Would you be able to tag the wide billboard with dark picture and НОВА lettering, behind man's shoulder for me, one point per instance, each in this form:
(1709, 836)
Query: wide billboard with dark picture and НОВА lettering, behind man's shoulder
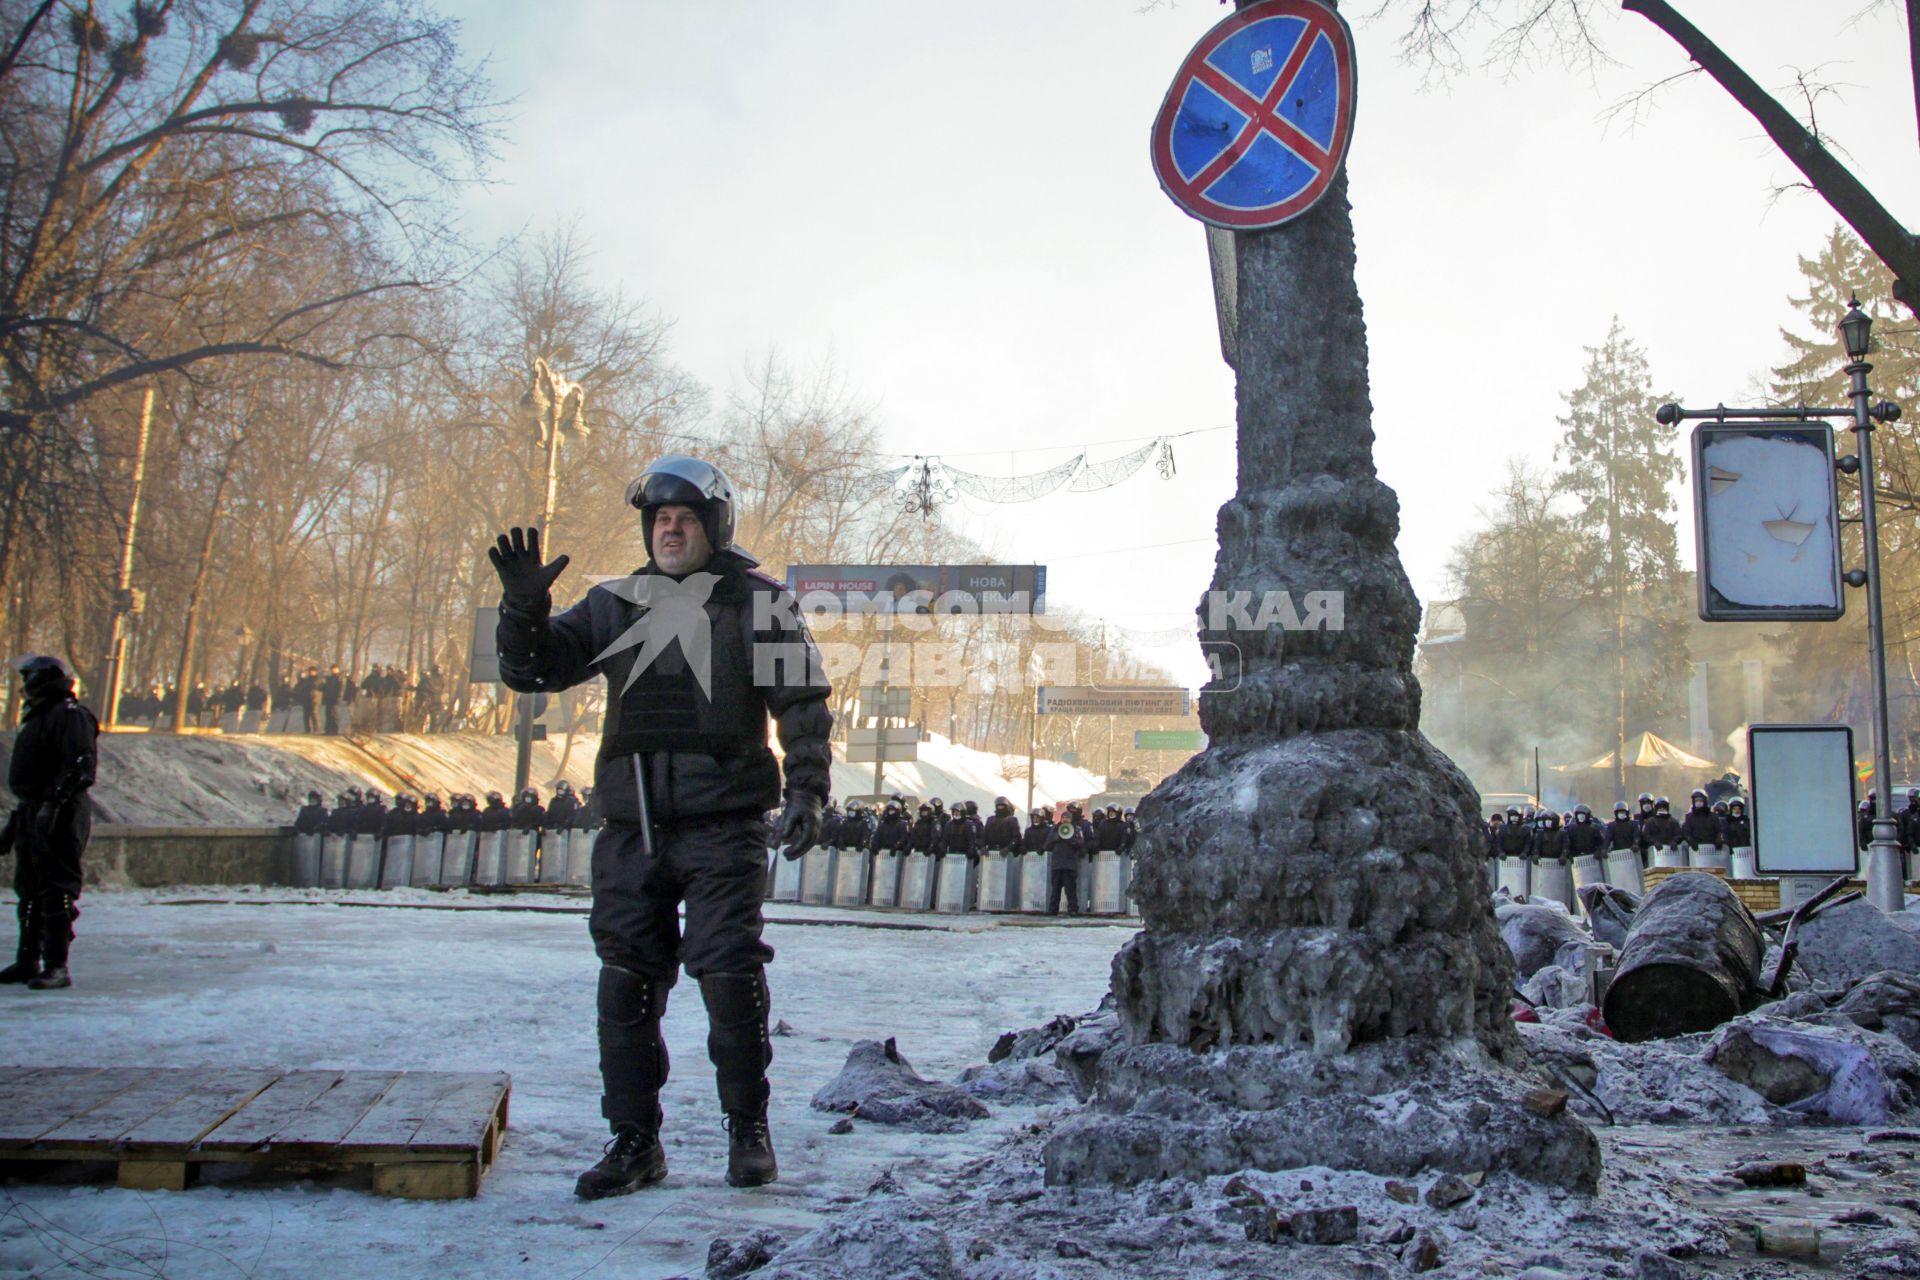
(921, 588)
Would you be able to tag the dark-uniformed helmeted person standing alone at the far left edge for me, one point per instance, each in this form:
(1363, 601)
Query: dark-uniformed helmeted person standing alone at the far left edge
(51, 770)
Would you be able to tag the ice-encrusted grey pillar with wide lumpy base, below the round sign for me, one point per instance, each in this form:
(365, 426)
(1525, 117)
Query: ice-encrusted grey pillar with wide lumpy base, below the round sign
(1320, 980)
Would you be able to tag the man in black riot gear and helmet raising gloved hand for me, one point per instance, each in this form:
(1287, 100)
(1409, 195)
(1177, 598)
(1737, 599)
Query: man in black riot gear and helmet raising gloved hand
(700, 650)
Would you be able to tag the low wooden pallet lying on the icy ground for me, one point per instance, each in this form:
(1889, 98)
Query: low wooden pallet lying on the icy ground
(425, 1135)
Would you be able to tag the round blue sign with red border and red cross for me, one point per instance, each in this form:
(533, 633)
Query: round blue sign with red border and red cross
(1257, 124)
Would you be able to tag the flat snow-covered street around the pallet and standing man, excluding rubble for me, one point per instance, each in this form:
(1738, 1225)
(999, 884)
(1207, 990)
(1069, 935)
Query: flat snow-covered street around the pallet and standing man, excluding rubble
(302, 980)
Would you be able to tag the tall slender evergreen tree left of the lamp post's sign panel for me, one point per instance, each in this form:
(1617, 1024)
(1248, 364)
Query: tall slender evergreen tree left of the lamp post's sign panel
(1621, 467)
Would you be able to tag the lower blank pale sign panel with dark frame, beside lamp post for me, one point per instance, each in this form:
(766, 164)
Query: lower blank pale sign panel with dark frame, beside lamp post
(1802, 780)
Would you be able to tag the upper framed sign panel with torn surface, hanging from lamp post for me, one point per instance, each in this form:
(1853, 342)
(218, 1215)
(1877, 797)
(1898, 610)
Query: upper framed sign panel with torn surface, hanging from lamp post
(1767, 523)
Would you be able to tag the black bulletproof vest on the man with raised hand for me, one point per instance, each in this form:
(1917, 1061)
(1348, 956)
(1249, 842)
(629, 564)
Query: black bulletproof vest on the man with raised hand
(665, 707)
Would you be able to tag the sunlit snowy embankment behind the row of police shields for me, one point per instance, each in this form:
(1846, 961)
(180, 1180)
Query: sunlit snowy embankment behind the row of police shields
(260, 780)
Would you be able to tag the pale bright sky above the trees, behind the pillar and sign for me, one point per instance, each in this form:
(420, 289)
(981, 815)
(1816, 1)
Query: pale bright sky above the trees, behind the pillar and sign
(953, 202)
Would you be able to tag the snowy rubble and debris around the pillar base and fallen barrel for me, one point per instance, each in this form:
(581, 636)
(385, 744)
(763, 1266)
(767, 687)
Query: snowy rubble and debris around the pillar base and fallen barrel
(1823, 1033)
